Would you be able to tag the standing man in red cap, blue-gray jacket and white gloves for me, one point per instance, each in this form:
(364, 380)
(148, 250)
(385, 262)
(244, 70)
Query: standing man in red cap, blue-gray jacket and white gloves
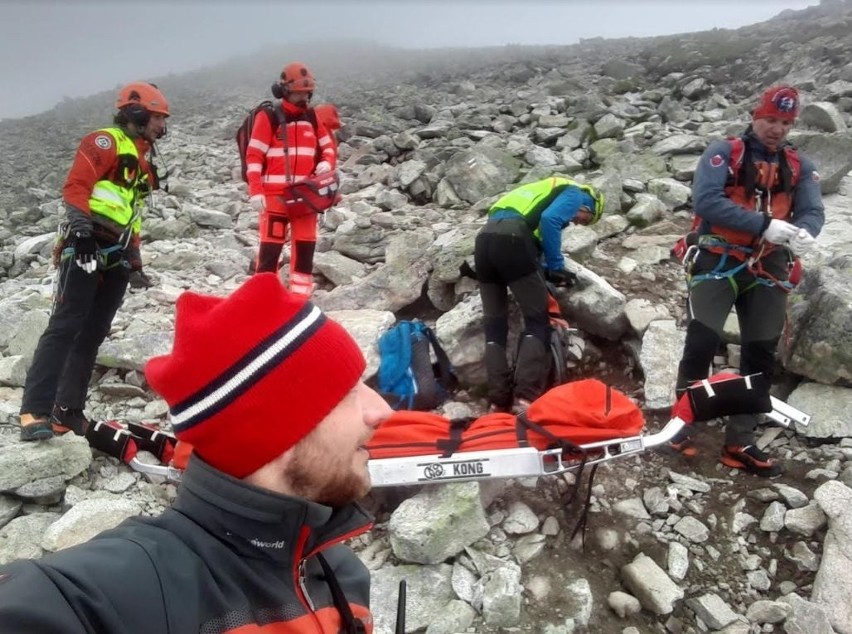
(760, 207)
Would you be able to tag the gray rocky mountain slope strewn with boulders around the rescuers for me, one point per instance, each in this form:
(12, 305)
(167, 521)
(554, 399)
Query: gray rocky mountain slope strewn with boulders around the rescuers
(429, 141)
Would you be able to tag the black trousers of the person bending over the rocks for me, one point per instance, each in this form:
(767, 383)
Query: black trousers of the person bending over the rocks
(506, 258)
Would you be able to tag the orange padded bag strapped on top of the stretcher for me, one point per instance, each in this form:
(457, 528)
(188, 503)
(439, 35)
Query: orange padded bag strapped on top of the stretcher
(579, 412)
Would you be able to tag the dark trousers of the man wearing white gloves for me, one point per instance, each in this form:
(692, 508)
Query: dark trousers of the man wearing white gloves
(761, 312)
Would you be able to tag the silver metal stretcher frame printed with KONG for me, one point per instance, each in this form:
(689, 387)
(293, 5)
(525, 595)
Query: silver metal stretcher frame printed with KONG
(520, 462)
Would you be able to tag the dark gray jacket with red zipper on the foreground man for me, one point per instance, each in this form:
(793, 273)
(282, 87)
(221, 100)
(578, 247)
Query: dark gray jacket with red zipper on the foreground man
(228, 557)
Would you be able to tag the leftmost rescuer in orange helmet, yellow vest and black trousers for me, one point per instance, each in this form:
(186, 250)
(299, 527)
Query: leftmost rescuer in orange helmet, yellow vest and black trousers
(96, 254)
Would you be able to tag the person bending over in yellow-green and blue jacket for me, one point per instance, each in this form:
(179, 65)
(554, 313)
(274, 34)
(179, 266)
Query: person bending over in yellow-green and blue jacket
(524, 227)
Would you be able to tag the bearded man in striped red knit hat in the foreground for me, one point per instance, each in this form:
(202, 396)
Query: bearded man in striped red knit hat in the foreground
(268, 390)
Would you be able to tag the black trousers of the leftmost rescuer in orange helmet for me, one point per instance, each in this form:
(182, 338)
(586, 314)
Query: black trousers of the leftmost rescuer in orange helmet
(84, 307)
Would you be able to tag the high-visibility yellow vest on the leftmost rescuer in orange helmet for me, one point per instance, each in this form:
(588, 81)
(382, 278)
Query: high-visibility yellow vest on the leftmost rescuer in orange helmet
(118, 198)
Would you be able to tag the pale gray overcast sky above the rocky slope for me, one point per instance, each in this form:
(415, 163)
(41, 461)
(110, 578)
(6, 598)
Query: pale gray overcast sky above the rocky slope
(55, 48)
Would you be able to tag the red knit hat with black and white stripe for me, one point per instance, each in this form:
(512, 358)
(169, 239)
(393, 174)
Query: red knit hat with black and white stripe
(253, 373)
